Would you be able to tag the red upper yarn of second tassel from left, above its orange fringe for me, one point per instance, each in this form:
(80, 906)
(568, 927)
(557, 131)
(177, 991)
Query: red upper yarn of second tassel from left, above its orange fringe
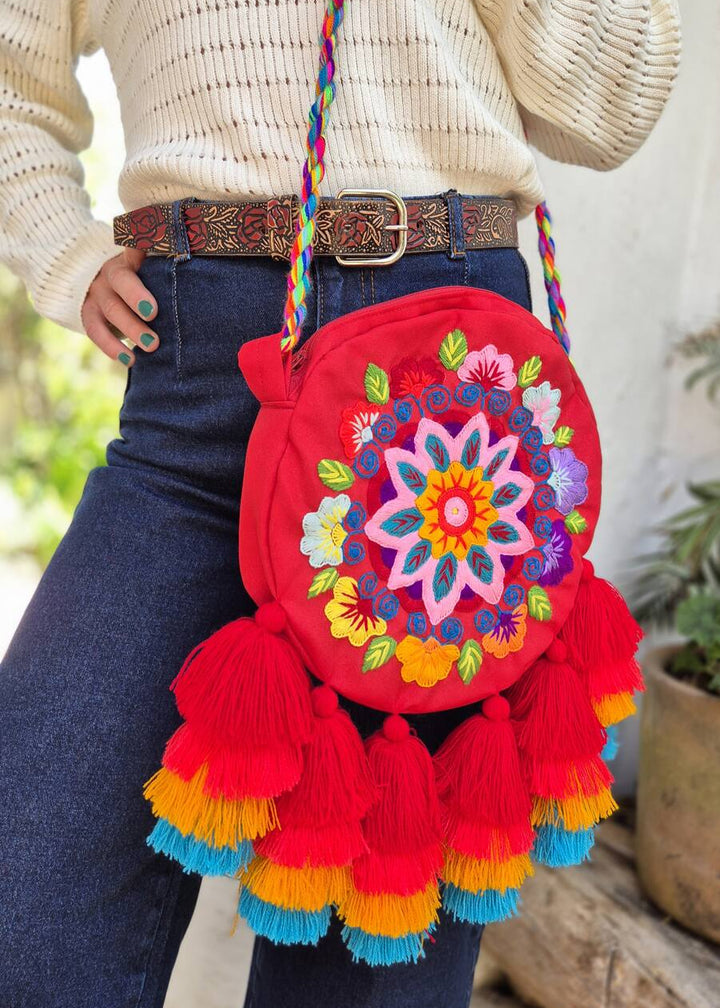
(320, 819)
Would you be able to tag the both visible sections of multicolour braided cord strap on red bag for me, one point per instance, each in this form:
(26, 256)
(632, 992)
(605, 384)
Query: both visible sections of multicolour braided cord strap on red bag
(299, 279)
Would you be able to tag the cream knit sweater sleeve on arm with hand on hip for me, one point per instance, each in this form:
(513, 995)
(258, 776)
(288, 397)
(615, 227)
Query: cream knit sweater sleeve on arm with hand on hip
(48, 234)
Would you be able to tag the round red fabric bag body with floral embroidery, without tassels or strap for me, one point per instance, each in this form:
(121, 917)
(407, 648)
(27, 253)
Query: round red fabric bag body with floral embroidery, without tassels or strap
(428, 498)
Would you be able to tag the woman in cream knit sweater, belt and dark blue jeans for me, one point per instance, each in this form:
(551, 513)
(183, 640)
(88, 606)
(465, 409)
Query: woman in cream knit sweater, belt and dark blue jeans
(435, 98)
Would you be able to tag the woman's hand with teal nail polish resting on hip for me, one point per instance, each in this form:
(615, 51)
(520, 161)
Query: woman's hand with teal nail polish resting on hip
(116, 303)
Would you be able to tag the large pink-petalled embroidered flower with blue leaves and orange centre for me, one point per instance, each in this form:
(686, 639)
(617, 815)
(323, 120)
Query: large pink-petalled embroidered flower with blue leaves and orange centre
(455, 516)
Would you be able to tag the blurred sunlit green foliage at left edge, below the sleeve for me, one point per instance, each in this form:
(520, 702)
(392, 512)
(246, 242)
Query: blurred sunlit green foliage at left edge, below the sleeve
(59, 403)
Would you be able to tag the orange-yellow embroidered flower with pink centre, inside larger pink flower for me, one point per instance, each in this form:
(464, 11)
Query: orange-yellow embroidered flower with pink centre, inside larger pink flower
(457, 511)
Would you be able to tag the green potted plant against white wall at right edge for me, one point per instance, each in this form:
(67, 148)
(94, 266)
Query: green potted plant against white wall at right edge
(679, 583)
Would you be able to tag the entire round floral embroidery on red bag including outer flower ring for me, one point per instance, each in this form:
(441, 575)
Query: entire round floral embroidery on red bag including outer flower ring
(451, 526)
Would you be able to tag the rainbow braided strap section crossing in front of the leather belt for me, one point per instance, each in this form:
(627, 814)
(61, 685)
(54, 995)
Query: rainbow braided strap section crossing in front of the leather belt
(313, 173)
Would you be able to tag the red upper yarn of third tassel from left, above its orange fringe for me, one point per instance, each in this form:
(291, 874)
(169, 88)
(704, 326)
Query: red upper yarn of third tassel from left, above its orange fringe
(403, 829)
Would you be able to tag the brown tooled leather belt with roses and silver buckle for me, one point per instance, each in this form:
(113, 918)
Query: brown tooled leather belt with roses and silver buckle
(375, 225)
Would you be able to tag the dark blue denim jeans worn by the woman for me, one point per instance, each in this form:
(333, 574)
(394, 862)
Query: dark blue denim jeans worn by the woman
(90, 918)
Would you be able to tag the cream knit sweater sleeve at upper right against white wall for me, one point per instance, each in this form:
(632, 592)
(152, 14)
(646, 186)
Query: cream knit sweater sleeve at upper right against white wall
(590, 77)
